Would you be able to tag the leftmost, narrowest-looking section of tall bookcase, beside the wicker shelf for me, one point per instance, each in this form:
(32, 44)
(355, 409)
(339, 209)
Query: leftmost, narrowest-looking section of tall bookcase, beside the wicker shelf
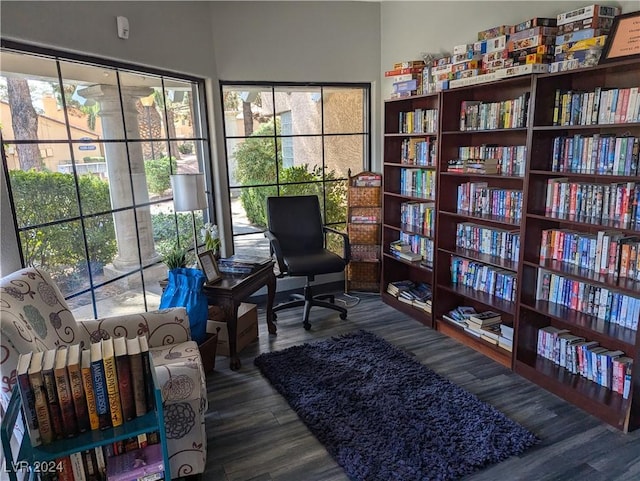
(409, 195)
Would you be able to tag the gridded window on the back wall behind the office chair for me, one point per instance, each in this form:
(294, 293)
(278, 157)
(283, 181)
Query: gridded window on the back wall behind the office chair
(287, 139)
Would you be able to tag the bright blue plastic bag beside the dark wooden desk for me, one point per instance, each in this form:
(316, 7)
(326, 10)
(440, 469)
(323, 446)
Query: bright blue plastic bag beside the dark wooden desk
(185, 290)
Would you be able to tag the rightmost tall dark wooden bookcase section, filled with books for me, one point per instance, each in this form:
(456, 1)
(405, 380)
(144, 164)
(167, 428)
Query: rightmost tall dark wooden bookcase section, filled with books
(580, 296)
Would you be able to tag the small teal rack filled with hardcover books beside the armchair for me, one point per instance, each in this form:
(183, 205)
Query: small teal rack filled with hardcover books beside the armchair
(88, 413)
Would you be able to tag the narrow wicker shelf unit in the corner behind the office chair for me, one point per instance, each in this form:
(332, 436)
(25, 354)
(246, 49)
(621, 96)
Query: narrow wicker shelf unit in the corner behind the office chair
(364, 214)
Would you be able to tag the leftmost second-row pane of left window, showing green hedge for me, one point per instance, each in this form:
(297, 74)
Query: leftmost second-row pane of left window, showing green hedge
(56, 197)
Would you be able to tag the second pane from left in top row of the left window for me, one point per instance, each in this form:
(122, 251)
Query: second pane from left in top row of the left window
(92, 101)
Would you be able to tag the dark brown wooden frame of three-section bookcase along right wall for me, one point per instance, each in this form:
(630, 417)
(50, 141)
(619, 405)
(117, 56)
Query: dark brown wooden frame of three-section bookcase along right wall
(526, 312)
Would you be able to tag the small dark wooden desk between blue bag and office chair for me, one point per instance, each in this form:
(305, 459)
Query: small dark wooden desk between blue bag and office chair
(231, 291)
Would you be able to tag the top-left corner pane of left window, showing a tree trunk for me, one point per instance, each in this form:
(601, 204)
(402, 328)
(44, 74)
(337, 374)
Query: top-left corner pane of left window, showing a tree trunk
(29, 85)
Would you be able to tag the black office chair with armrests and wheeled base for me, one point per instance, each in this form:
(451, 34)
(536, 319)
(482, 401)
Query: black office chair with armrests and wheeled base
(298, 239)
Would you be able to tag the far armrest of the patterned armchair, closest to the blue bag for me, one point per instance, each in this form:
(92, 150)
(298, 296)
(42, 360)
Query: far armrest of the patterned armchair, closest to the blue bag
(166, 326)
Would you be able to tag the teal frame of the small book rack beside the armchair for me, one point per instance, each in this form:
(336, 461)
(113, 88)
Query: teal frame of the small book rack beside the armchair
(43, 454)
